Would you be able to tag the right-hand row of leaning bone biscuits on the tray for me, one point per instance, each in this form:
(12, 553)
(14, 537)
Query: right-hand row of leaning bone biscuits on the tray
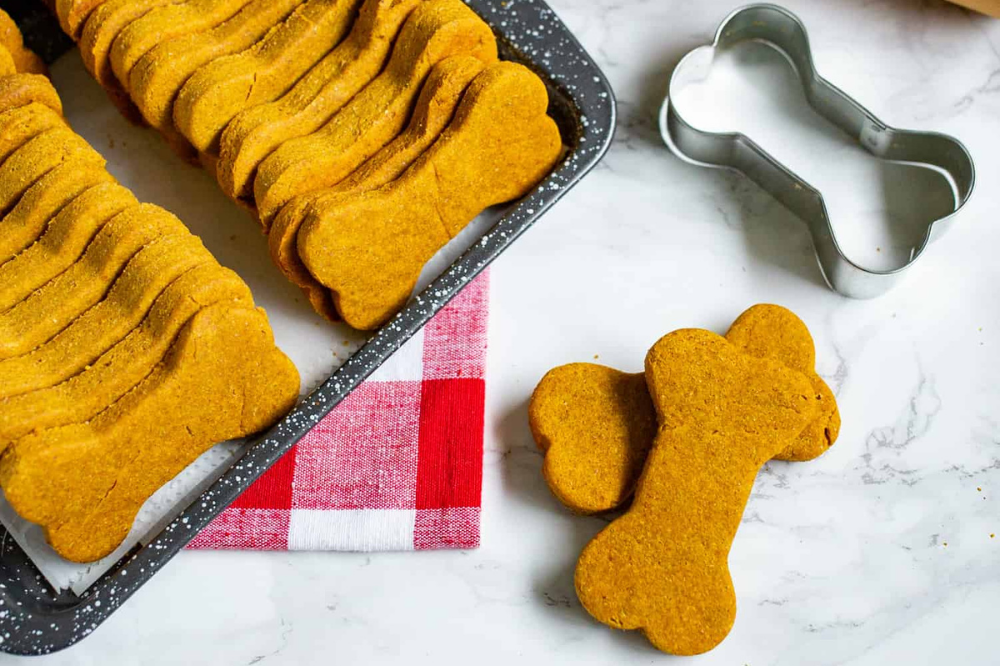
(364, 135)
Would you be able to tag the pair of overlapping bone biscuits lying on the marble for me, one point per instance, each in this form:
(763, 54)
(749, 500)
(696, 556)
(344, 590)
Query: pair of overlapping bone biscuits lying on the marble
(683, 441)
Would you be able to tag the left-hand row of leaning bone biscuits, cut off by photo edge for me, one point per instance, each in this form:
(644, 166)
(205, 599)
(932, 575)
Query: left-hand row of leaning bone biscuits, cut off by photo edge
(126, 350)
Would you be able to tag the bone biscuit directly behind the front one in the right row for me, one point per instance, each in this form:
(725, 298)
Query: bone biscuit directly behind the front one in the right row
(435, 108)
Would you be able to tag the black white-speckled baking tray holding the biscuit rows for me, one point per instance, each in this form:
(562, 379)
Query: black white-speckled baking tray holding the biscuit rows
(35, 619)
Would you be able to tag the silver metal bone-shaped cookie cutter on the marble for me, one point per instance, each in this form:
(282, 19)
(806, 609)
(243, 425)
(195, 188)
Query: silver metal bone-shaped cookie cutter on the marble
(783, 31)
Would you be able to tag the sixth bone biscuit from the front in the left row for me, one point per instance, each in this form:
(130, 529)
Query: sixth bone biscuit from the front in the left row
(43, 200)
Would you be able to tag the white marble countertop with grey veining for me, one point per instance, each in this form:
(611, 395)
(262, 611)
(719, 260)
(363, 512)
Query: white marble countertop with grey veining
(882, 551)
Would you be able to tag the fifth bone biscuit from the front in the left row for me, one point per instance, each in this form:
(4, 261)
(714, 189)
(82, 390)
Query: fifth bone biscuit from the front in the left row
(63, 241)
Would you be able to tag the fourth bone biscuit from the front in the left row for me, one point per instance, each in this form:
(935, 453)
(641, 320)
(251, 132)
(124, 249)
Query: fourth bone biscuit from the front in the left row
(52, 308)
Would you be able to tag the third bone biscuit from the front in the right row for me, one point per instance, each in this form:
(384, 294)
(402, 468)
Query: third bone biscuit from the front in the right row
(434, 31)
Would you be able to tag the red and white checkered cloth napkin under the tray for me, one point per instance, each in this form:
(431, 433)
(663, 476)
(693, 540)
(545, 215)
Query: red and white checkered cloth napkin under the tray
(396, 466)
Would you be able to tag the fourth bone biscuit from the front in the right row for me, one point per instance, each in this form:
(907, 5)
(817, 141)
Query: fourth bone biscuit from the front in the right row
(254, 133)
